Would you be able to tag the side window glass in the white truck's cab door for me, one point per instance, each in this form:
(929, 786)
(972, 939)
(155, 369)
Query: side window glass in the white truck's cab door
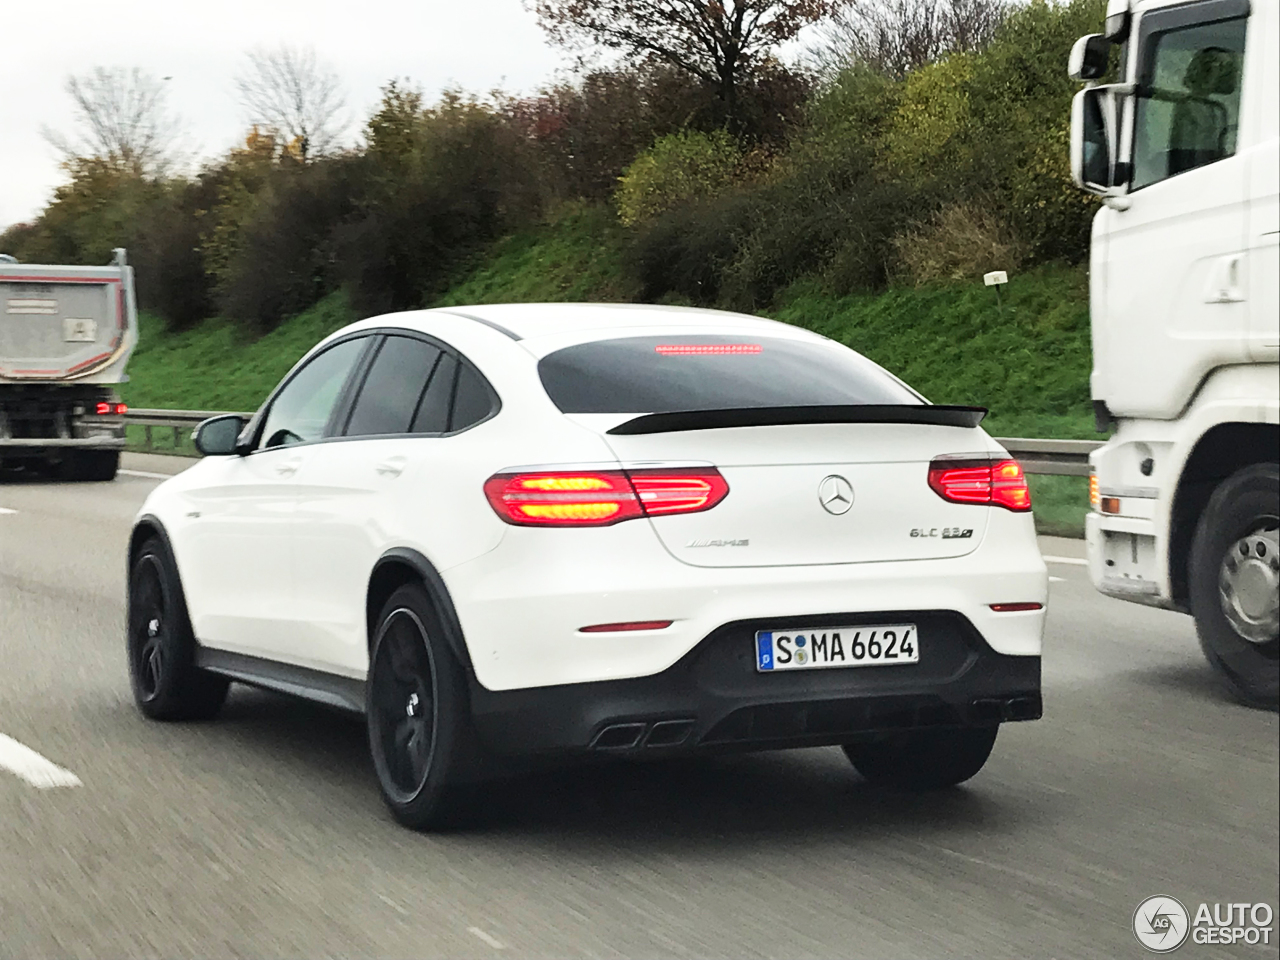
(1188, 108)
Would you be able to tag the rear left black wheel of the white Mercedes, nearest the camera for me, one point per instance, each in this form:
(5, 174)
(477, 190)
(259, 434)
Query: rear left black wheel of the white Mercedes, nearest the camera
(418, 716)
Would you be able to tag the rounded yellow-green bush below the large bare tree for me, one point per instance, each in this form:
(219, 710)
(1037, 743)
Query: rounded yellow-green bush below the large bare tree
(676, 170)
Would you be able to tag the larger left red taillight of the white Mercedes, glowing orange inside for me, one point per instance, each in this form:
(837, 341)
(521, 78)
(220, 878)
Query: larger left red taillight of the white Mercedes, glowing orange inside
(600, 499)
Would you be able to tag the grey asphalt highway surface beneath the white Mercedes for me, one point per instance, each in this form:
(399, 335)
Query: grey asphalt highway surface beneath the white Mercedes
(263, 834)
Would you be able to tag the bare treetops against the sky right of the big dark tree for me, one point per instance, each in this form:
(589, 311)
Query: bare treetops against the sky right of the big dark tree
(899, 36)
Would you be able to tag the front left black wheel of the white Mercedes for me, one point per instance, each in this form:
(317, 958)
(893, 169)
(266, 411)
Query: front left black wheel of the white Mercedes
(162, 648)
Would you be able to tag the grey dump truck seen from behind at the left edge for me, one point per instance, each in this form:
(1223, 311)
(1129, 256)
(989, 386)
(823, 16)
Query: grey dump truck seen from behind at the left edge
(66, 336)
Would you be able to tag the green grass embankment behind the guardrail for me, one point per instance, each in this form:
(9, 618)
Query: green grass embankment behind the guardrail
(1027, 360)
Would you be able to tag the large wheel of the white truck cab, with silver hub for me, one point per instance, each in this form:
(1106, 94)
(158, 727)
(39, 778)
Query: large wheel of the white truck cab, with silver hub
(1236, 584)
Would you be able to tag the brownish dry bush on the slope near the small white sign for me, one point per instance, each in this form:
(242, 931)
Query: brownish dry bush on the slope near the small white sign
(962, 243)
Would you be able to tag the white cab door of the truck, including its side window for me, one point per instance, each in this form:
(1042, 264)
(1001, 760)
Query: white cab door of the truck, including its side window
(1176, 291)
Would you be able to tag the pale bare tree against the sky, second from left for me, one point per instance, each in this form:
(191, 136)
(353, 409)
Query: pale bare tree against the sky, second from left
(291, 93)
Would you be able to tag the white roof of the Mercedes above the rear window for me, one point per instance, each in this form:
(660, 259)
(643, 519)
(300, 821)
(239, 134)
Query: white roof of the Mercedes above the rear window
(532, 322)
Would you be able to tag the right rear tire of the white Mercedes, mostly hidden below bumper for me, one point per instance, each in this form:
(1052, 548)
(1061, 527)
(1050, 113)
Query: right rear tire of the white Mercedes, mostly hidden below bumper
(925, 760)
